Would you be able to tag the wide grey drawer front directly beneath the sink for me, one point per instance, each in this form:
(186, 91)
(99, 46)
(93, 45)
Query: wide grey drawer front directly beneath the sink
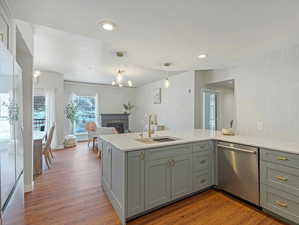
(167, 152)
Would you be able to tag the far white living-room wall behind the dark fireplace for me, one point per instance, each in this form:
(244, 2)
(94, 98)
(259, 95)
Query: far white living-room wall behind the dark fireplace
(110, 99)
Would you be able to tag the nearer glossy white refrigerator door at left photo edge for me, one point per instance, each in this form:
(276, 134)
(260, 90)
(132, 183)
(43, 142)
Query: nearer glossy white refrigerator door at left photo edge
(7, 145)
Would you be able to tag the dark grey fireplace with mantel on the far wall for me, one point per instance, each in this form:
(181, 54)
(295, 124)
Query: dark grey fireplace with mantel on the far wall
(119, 121)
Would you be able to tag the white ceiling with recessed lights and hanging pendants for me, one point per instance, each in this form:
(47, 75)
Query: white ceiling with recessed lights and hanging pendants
(154, 32)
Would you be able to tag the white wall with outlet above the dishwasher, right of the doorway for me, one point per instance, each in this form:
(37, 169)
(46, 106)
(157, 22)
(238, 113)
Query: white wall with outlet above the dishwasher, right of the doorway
(266, 91)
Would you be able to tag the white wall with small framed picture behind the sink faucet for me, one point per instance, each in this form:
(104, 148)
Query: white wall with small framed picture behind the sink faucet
(176, 110)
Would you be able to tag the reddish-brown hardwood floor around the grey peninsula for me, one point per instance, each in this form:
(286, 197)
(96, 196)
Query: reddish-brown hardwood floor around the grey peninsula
(71, 194)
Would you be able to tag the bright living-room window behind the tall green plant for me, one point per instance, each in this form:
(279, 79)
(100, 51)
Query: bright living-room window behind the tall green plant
(86, 112)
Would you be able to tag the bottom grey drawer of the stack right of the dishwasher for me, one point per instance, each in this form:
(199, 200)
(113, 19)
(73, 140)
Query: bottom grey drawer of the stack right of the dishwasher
(281, 203)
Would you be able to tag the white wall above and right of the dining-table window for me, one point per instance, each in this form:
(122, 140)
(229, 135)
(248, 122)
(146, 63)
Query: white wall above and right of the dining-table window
(53, 80)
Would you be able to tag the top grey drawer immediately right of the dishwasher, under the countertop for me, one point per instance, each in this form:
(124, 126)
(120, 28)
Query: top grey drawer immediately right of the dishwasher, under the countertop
(286, 159)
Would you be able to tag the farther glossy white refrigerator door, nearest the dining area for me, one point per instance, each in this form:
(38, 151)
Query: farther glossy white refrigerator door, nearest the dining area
(18, 97)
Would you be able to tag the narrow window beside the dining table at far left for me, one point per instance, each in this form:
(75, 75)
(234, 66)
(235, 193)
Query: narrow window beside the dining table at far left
(39, 113)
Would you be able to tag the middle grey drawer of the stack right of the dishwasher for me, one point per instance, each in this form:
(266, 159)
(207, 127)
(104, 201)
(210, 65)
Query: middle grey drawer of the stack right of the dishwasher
(281, 177)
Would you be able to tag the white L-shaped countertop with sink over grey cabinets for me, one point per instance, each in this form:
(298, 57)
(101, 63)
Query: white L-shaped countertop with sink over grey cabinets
(128, 142)
